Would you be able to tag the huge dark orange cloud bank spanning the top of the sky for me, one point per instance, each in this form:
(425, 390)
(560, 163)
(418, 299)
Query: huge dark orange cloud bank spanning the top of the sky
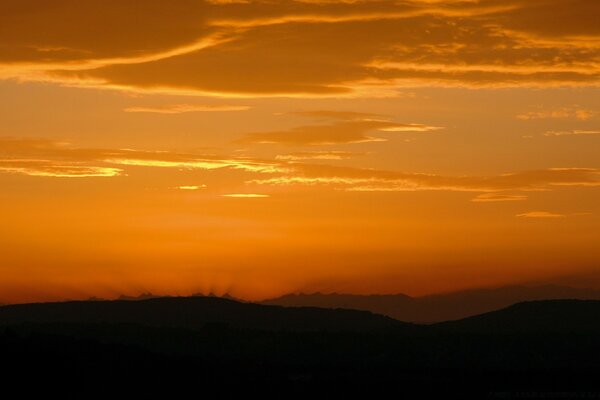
(298, 48)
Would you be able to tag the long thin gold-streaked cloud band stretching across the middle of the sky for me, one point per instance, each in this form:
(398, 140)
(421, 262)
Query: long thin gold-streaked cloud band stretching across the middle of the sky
(44, 158)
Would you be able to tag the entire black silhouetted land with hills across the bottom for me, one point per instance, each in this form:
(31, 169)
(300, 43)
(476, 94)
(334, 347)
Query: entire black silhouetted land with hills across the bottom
(206, 346)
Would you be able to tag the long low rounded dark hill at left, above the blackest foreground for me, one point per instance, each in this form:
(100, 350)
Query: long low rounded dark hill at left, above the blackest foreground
(195, 313)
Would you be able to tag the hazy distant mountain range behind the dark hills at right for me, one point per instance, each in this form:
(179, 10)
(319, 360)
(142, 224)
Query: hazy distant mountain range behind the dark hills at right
(439, 307)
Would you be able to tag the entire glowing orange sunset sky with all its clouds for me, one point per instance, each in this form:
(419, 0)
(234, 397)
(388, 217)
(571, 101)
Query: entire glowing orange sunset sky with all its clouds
(260, 147)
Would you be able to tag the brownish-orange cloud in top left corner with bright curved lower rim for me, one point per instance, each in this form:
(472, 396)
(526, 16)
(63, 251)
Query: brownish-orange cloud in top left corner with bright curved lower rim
(74, 32)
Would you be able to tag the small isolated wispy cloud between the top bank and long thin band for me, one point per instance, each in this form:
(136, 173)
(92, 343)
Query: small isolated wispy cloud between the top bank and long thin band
(348, 128)
